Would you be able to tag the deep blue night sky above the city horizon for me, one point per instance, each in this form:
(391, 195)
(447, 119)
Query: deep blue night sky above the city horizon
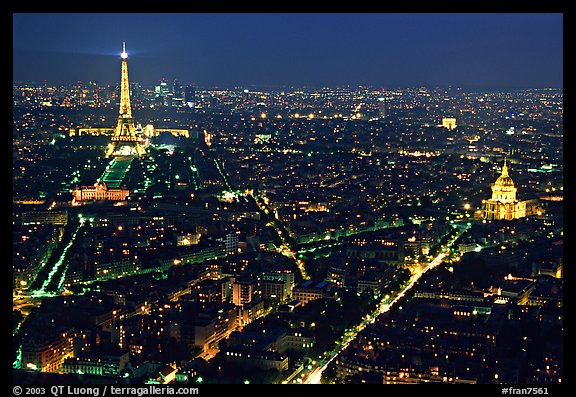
(470, 50)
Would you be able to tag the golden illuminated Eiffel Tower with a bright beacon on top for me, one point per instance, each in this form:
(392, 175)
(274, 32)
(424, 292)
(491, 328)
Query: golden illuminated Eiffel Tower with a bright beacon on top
(125, 132)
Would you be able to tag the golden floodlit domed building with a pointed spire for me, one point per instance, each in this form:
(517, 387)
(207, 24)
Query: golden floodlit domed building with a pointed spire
(504, 204)
